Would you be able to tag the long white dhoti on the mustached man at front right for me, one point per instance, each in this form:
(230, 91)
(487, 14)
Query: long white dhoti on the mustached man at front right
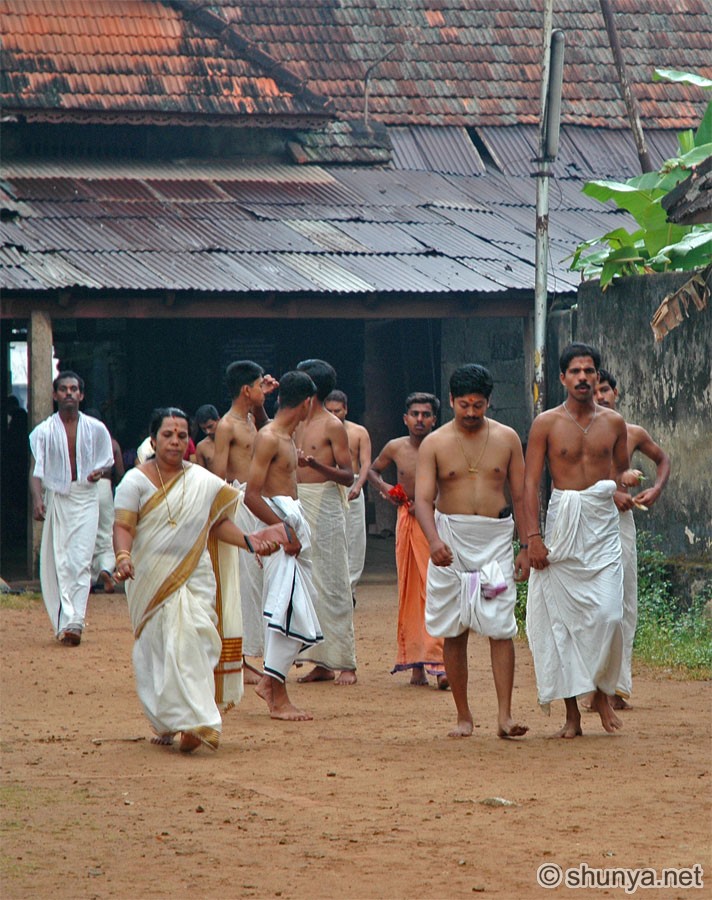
(575, 604)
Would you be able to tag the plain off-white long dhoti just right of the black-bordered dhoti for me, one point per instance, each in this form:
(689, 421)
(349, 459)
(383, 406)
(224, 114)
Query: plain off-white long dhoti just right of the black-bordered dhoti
(324, 508)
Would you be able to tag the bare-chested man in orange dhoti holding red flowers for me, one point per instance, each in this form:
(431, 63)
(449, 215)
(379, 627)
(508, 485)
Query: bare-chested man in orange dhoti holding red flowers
(417, 650)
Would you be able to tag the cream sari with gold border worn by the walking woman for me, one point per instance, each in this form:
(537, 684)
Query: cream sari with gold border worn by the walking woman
(172, 599)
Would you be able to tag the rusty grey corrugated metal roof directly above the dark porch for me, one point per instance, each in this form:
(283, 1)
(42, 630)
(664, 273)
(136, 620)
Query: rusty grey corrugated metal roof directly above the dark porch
(279, 229)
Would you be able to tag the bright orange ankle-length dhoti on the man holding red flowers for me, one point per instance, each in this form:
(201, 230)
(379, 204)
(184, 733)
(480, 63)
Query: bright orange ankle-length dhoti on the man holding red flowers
(415, 646)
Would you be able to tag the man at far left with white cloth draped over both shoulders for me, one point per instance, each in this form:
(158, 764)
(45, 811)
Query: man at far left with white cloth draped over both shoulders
(71, 451)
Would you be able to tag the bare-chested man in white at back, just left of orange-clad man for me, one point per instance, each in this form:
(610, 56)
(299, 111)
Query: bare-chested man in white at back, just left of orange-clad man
(359, 439)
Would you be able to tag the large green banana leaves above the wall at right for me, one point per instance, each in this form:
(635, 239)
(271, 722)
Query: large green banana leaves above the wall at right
(656, 245)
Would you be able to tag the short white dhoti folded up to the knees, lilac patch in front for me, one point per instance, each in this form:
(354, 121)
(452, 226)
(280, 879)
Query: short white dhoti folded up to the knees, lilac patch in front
(478, 544)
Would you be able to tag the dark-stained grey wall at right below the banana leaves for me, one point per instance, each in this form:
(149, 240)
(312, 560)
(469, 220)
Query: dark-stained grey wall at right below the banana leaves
(667, 388)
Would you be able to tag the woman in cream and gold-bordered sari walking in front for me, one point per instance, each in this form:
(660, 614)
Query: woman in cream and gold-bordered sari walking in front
(166, 510)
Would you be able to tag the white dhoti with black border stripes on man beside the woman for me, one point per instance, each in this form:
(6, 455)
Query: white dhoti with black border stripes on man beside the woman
(289, 595)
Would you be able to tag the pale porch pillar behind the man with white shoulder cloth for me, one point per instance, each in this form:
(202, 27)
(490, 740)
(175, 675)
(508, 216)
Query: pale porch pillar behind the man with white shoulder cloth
(39, 406)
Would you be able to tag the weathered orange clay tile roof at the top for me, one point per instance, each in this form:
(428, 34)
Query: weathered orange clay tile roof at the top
(450, 62)
